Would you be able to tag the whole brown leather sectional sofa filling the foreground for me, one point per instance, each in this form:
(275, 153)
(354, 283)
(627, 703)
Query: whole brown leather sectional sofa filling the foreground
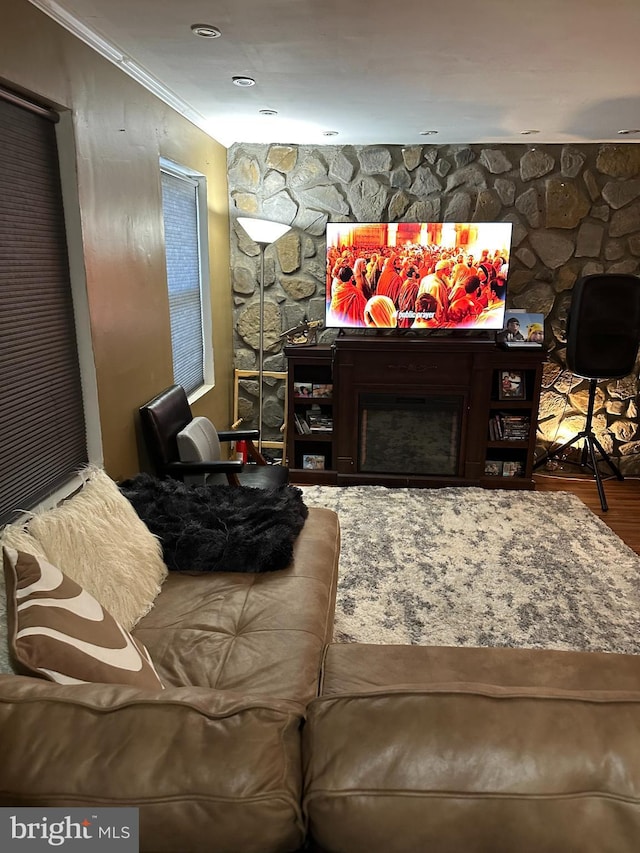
(268, 738)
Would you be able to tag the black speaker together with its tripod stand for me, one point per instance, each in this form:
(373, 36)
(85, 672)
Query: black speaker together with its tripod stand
(603, 332)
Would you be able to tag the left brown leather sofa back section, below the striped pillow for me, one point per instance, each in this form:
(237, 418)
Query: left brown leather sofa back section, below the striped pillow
(208, 770)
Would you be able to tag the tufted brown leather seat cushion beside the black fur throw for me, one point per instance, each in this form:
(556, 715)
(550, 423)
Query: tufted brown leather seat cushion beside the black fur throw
(258, 633)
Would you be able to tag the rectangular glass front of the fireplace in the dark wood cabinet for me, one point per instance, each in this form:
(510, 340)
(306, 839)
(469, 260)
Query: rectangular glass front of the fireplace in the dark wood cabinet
(404, 434)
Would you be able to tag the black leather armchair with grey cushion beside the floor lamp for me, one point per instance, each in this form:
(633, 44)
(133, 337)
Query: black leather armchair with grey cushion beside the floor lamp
(187, 448)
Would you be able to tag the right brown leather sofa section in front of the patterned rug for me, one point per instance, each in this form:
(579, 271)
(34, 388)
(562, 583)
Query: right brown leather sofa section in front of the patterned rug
(454, 749)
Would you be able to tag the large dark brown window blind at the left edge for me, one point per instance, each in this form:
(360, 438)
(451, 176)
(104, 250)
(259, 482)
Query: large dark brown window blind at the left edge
(42, 428)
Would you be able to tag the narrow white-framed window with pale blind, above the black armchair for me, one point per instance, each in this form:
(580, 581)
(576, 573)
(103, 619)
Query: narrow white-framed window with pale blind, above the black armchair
(184, 209)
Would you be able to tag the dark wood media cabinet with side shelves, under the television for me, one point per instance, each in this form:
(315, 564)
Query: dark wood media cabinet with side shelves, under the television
(408, 411)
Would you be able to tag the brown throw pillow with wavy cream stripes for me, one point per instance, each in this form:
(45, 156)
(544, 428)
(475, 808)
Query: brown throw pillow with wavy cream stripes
(58, 631)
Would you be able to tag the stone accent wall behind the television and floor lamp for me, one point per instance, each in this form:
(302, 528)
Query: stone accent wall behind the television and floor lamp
(575, 211)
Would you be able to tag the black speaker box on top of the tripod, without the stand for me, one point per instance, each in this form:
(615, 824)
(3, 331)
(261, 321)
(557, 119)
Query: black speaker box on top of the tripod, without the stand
(603, 329)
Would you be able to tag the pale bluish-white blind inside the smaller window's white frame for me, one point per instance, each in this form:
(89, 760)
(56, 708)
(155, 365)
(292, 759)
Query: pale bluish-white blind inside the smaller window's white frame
(180, 209)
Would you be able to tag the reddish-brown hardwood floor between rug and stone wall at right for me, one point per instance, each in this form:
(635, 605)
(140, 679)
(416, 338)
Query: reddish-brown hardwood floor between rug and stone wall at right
(623, 498)
